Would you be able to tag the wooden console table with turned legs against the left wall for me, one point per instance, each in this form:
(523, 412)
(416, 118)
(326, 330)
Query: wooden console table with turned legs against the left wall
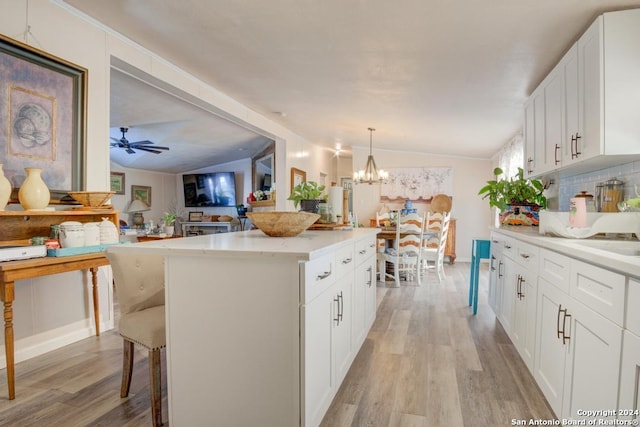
(10, 271)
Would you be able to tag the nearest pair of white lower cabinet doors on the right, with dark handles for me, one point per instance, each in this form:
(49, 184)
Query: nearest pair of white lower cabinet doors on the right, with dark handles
(575, 348)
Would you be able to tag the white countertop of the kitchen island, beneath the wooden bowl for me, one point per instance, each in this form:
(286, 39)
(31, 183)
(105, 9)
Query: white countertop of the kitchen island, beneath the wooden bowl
(306, 246)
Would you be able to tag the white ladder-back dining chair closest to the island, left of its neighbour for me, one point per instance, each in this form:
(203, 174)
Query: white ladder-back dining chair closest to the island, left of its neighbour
(404, 255)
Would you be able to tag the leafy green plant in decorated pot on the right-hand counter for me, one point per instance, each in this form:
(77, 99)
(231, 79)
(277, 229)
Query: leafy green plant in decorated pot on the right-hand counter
(518, 199)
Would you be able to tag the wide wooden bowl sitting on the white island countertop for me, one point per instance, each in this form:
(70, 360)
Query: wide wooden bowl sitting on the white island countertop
(282, 223)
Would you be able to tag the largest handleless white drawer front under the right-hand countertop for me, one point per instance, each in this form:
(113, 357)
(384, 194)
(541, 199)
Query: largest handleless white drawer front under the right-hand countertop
(601, 290)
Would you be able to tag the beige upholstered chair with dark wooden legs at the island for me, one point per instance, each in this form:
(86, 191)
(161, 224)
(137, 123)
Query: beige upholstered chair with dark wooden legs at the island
(139, 283)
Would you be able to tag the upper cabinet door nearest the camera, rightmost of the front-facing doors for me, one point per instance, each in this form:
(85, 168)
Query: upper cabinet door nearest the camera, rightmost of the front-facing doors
(590, 79)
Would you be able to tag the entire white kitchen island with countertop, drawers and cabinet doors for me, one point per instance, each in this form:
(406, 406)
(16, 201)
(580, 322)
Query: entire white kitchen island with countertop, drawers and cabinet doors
(262, 330)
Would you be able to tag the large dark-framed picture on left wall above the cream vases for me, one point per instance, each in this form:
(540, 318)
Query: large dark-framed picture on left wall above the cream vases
(42, 118)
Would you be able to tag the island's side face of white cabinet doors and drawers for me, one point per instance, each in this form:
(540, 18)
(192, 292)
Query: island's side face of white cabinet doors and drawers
(336, 322)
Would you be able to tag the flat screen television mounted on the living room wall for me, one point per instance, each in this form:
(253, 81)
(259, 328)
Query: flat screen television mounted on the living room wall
(209, 189)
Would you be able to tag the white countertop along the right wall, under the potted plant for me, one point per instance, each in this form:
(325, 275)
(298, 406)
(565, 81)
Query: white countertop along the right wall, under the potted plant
(579, 249)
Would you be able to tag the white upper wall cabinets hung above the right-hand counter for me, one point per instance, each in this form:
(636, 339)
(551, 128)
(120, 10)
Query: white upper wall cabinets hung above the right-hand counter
(589, 115)
